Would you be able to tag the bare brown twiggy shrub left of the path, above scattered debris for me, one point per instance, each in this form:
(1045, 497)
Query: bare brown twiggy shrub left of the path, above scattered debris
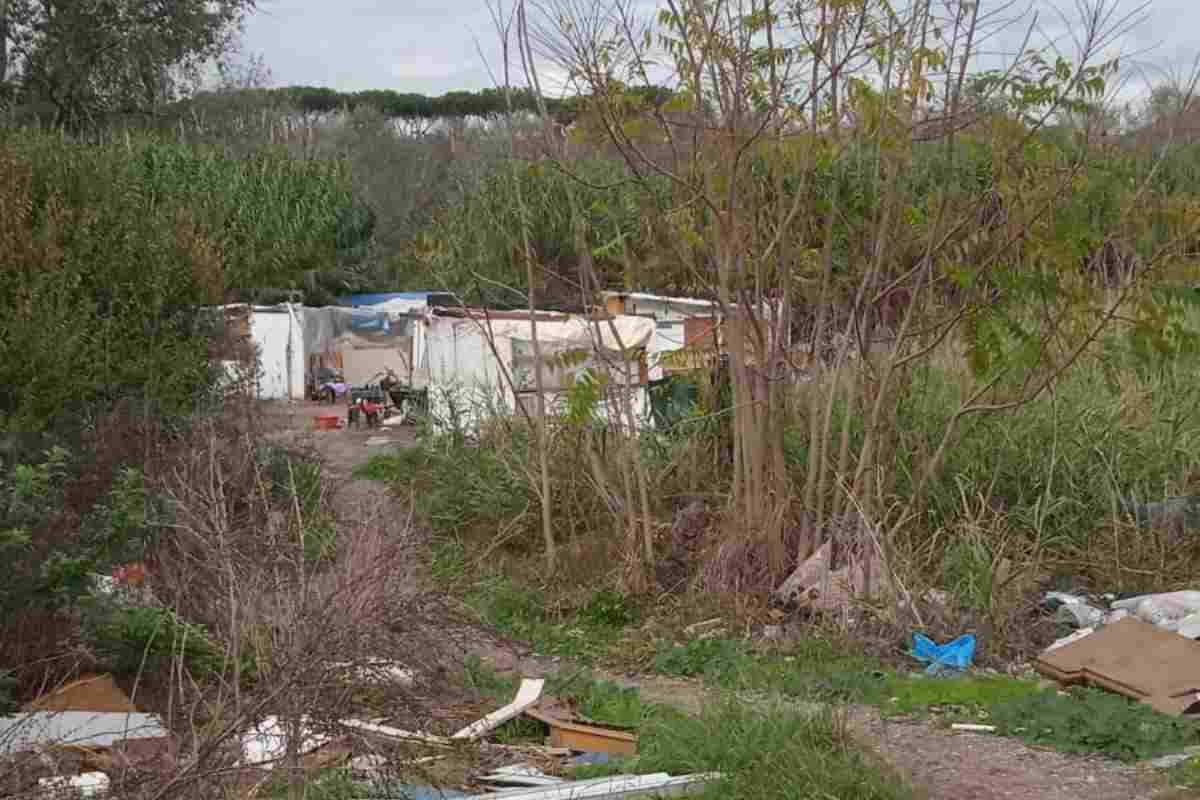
(269, 607)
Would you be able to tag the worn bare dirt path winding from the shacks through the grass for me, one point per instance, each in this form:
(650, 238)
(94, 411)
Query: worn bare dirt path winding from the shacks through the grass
(945, 765)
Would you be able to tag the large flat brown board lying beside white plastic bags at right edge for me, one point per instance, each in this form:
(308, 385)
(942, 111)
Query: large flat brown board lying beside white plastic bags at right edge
(1133, 659)
